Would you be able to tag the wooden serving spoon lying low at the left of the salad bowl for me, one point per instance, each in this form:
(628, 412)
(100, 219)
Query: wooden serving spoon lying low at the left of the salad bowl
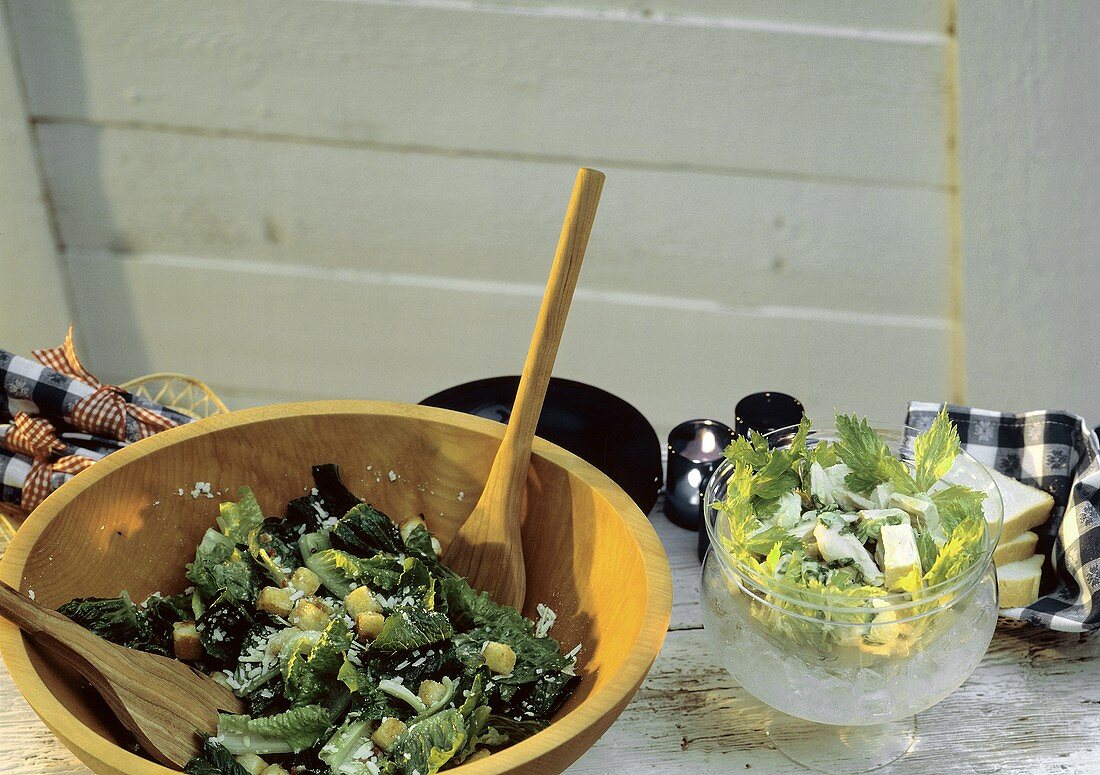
(166, 704)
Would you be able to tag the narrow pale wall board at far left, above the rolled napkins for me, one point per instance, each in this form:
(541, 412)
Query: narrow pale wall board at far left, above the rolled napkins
(36, 311)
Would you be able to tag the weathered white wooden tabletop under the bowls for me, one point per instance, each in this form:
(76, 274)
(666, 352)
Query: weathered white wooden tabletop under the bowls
(1033, 706)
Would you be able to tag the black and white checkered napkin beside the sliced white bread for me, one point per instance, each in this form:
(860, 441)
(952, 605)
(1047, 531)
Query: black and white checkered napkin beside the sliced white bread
(1057, 452)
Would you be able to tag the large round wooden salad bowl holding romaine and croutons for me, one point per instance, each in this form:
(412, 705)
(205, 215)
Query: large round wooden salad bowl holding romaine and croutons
(123, 525)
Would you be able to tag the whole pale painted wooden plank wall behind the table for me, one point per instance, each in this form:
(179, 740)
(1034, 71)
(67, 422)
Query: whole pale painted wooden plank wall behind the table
(321, 198)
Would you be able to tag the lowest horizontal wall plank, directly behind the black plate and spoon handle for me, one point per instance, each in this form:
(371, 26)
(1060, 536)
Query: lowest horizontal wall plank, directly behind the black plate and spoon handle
(320, 334)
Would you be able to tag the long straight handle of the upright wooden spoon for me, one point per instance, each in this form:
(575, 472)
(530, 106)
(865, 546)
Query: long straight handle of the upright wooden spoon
(512, 460)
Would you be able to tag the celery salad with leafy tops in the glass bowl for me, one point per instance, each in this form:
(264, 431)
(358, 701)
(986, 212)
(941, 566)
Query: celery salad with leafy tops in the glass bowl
(842, 525)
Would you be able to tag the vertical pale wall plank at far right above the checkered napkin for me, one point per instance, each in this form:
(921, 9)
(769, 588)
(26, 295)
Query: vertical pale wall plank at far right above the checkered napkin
(1030, 118)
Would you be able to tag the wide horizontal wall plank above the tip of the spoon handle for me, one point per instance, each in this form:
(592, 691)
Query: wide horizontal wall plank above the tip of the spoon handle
(493, 80)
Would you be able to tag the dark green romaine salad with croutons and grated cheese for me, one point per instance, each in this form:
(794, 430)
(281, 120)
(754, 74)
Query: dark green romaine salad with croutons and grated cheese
(357, 651)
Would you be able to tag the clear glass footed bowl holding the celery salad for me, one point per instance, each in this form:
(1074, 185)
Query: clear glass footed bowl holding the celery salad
(840, 660)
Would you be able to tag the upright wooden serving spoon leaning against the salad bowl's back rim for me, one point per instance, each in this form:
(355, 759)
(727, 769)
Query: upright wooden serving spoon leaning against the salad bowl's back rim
(488, 549)
